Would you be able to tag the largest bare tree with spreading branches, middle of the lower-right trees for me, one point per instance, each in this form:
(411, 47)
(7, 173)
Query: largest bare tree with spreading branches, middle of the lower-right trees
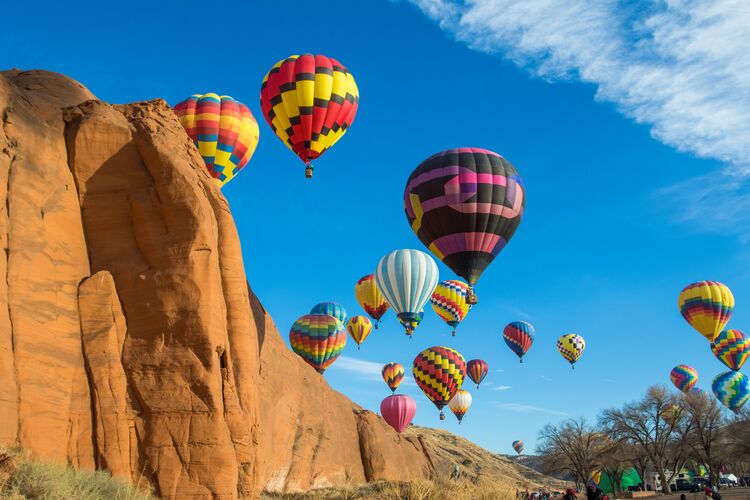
(653, 424)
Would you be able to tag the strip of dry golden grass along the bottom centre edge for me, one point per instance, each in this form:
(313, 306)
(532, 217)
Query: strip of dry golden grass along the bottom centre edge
(417, 490)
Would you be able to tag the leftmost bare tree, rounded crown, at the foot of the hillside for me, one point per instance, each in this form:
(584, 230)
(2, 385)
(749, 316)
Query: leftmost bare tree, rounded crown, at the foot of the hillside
(573, 447)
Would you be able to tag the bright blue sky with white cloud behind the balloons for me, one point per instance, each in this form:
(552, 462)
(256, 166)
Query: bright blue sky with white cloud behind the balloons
(631, 141)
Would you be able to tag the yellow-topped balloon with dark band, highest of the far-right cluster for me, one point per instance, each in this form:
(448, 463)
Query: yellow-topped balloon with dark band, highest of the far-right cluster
(707, 306)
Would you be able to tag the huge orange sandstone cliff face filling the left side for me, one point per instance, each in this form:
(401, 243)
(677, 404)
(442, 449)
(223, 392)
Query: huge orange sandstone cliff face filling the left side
(129, 339)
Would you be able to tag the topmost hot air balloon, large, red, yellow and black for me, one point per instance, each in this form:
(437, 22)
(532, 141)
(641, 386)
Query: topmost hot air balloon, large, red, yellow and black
(309, 101)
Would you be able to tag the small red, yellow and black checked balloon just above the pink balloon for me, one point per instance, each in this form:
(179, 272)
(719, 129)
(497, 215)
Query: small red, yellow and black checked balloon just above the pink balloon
(439, 372)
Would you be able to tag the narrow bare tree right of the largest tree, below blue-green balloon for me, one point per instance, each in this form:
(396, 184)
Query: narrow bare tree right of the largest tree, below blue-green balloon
(706, 439)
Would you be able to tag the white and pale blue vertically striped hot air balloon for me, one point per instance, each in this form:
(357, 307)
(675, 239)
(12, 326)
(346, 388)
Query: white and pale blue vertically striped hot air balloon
(407, 278)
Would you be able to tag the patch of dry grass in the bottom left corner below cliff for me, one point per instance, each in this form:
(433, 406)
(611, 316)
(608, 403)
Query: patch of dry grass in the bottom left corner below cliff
(22, 478)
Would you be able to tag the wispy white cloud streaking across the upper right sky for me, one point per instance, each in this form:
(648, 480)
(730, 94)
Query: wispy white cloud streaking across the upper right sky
(678, 66)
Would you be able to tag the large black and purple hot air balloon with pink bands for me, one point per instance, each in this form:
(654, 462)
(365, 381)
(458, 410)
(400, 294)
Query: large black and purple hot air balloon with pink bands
(465, 204)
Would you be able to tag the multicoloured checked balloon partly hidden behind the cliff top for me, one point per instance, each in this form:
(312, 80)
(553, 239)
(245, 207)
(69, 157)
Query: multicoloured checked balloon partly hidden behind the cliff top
(224, 131)
